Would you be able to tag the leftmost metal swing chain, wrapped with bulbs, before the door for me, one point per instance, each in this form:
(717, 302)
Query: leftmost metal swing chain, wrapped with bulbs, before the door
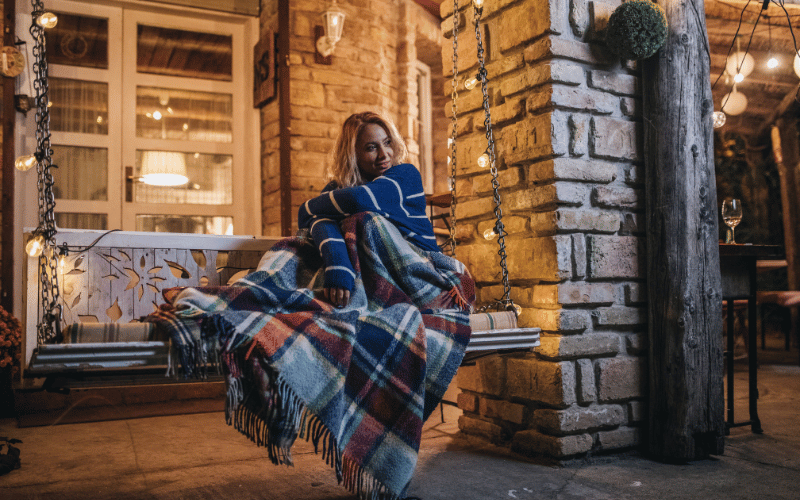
(49, 326)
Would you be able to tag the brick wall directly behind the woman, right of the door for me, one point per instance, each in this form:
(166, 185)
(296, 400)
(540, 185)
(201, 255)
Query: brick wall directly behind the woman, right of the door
(372, 69)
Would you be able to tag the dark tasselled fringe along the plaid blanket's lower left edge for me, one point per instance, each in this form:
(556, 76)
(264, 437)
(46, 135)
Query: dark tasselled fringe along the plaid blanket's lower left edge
(258, 427)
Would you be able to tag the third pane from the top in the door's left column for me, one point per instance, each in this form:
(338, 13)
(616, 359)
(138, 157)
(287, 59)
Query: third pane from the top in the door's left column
(82, 173)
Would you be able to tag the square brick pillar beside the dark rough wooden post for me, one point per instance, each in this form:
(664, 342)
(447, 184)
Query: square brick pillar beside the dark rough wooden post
(567, 128)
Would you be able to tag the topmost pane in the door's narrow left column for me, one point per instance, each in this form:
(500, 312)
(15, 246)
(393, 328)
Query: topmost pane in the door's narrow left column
(78, 41)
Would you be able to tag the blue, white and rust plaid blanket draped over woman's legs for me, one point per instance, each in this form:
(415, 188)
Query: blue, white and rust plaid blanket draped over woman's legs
(358, 382)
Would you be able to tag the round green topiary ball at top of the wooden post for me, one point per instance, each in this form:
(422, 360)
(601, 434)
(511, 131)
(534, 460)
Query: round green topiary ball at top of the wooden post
(636, 29)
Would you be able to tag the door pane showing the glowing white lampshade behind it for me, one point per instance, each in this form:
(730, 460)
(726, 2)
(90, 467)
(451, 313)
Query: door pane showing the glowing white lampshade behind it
(210, 178)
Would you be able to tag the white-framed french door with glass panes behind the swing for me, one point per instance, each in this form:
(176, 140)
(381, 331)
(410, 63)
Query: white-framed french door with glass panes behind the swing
(137, 92)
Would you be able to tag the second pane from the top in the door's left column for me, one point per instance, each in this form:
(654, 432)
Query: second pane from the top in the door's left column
(78, 106)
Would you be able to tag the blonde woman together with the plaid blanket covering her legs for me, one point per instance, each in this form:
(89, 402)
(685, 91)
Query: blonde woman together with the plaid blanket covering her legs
(349, 338)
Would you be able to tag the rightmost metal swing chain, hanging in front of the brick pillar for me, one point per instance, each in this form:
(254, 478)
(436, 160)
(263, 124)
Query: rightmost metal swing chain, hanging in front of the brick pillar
(505, 302)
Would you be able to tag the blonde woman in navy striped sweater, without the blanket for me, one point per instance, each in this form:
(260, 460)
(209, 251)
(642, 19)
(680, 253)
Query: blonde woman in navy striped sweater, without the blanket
(367, 167)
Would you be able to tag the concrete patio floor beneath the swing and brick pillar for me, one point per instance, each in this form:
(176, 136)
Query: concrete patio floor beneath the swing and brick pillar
(199, 457)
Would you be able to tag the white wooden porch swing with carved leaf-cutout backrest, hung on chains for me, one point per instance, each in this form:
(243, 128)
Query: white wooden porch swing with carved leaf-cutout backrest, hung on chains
(190, 260)
